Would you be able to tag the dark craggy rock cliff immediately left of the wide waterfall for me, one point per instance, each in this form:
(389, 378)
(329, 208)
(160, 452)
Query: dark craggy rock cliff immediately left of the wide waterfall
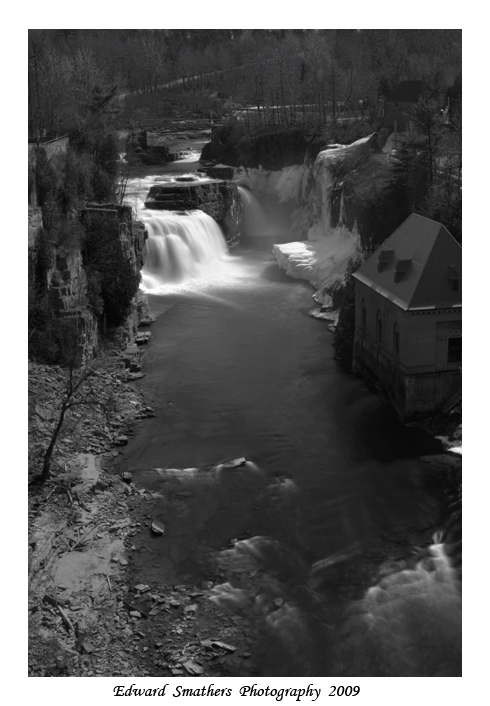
(77, 287)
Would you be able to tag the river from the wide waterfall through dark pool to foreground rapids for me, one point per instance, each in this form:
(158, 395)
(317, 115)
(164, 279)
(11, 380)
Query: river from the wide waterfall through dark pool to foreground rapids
(333, 498)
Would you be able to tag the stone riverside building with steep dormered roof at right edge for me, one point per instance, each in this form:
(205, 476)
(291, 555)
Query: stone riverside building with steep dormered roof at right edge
(408, 318)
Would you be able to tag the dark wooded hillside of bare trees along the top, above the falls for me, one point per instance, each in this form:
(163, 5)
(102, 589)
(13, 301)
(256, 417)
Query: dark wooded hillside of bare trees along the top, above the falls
(287, 75)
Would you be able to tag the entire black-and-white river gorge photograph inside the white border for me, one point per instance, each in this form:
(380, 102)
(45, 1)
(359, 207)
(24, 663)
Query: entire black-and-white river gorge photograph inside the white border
(245, 357)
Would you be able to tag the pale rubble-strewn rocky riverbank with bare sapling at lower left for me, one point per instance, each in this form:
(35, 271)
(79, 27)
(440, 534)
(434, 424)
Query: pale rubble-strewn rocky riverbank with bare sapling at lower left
(88, 614)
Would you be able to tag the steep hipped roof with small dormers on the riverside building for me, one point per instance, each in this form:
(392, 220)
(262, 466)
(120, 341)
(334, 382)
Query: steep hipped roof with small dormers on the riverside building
(417, 267)
